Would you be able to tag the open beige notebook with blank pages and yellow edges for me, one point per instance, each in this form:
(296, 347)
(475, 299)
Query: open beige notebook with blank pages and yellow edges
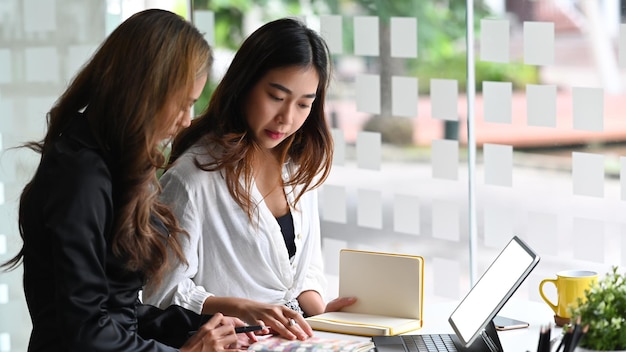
(389, 290)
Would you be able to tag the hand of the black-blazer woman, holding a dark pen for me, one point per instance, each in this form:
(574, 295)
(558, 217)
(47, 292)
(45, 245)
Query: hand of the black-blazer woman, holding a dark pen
(216, 335)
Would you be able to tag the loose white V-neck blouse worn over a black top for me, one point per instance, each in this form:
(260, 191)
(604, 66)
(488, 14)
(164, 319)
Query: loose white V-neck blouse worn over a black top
(228, 255)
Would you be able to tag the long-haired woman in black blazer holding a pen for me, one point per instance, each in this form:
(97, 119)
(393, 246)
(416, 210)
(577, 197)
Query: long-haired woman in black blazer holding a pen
(94, 231)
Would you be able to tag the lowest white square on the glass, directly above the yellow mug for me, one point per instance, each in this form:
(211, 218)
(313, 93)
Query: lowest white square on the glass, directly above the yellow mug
(588, 239)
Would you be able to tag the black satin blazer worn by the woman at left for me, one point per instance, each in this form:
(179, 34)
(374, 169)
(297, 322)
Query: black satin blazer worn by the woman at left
(79, 295)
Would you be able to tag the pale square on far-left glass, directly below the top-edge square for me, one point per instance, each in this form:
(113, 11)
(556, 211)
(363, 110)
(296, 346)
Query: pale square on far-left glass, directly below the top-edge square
(42, 64)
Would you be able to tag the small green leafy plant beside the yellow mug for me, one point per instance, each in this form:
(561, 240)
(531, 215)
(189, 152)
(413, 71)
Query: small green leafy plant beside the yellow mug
(604, 311)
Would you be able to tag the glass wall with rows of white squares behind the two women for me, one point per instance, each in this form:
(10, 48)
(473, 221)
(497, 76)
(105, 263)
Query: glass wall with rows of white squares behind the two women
(546, 121)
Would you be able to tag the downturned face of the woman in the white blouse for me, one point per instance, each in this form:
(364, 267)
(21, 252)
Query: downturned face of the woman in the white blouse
(279, 103)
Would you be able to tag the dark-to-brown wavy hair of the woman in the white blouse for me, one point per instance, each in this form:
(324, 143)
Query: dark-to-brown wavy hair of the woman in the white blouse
(281, 43)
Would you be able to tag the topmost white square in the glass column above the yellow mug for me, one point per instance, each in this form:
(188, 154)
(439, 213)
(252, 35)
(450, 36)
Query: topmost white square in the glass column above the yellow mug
(588, 107)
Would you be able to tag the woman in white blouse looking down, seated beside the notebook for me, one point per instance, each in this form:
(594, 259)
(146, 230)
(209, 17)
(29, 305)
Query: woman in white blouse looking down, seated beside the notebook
(243, 186)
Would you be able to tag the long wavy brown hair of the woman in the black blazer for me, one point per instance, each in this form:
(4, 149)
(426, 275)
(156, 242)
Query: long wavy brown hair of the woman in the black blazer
(147, 63)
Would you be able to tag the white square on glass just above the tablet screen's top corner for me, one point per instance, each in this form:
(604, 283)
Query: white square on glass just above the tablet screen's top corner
(498, 225)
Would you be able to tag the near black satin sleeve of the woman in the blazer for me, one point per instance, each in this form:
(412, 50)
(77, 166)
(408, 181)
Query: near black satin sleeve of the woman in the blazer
(76, 218)
